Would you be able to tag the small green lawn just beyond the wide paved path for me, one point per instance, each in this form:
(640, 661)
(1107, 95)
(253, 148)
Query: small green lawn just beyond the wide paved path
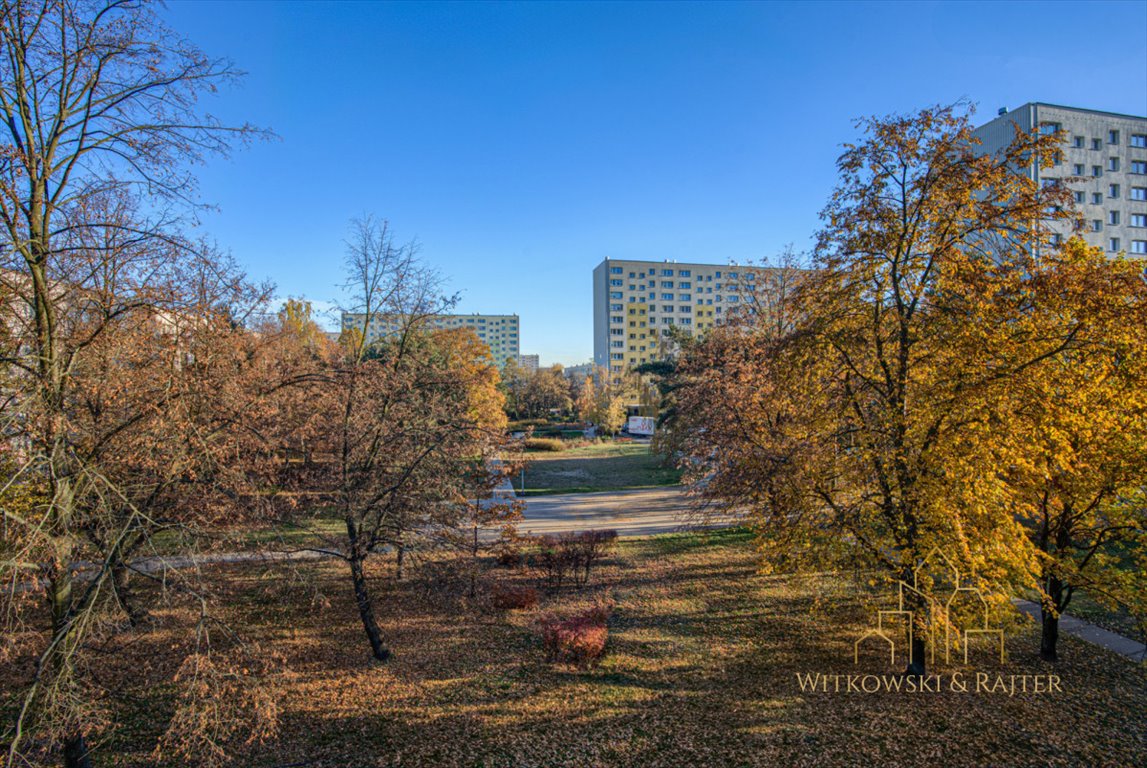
(597, 467)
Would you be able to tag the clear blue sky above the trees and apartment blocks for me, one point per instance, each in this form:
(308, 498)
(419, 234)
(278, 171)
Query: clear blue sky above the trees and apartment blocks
(524, 144)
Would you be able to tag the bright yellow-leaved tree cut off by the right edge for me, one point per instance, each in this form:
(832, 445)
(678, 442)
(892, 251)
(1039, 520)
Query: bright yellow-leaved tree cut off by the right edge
(1074, 445)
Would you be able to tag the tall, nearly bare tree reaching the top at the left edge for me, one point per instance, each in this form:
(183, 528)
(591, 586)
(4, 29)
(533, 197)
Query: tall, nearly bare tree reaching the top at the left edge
(99, 103)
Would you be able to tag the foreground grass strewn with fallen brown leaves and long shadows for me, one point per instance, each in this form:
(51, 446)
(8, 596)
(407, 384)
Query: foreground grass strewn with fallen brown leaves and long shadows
(700, 671)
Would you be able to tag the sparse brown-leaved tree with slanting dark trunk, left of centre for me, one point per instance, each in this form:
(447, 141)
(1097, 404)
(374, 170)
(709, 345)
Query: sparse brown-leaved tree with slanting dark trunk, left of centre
(408, 411)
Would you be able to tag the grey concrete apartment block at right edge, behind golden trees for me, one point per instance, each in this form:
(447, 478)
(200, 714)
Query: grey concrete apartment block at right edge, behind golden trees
(1107, 151)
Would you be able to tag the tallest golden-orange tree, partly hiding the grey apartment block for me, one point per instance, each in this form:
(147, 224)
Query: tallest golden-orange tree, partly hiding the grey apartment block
(839, 420)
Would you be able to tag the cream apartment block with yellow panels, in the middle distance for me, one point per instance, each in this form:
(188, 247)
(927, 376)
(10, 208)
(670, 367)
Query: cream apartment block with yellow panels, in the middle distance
(636, 303)
